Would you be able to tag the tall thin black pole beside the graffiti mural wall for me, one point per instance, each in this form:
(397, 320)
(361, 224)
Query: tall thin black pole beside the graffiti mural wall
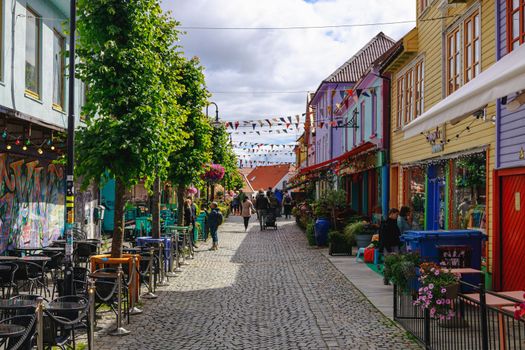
(70, 185)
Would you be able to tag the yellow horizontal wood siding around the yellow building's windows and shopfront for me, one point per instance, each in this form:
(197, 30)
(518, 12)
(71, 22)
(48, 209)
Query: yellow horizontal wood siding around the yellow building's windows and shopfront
(481, 134)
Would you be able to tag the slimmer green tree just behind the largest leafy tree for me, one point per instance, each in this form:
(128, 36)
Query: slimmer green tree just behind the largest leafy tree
(187, 164)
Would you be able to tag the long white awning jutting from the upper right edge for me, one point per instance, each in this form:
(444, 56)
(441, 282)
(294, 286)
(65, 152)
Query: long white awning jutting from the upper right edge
(503, 78)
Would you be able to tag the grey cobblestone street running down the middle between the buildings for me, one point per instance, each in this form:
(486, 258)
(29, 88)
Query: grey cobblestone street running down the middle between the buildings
(260, 290)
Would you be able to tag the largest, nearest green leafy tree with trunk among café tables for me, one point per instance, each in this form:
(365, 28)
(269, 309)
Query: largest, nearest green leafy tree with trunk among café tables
(129, 61)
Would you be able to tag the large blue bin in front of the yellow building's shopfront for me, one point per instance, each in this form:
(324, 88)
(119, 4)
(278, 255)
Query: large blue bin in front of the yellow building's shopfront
(456, 248)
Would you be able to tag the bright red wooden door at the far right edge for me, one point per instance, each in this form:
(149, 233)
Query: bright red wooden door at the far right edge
(513, 231)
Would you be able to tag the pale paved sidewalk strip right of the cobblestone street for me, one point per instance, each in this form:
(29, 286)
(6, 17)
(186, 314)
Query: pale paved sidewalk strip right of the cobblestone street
(367, 281)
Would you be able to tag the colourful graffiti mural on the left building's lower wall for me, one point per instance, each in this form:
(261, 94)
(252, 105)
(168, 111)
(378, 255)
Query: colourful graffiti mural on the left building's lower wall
(31, 202)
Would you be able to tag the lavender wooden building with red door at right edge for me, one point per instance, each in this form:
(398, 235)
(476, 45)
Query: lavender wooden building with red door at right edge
(509, 184)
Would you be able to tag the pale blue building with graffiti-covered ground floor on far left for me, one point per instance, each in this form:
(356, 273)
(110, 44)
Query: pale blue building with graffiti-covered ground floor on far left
(33, 120)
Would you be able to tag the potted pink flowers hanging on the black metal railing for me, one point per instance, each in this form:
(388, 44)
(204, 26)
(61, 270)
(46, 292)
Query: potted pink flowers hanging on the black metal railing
(438, 287)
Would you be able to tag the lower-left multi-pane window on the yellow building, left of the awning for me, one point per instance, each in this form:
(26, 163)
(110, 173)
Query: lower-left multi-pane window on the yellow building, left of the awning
(410, 94)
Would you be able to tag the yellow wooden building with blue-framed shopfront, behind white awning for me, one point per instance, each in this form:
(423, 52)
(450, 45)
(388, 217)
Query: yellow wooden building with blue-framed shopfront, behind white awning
(444, 173)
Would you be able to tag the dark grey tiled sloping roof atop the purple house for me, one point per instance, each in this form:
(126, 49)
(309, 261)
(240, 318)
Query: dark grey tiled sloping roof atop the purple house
(354, 68)
